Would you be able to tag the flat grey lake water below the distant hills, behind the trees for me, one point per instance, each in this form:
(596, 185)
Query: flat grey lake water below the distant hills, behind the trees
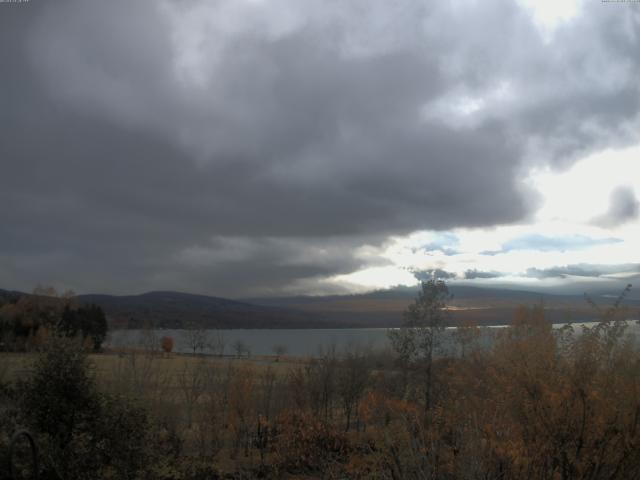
(297, 342)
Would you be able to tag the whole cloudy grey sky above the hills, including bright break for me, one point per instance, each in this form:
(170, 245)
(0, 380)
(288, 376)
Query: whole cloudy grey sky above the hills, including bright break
(244, 148)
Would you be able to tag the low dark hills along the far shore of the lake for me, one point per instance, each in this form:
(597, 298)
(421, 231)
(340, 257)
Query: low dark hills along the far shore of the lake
(384, 308)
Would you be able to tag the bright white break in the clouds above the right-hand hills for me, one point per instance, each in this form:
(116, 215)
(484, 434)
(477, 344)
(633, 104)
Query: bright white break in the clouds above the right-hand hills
(565, 232)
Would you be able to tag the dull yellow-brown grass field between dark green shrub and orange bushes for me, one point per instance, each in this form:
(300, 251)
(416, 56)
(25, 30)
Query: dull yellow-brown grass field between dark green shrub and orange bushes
(190, 395)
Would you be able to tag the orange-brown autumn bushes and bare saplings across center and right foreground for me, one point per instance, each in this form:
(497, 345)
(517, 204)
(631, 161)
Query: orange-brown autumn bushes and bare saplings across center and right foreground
(540, 404)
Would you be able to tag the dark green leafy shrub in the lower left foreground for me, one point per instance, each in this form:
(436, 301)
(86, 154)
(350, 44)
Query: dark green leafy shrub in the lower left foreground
(83, 434)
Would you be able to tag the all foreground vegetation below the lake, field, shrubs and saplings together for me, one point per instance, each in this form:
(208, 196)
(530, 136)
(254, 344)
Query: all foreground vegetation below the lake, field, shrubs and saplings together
(540, 404)
